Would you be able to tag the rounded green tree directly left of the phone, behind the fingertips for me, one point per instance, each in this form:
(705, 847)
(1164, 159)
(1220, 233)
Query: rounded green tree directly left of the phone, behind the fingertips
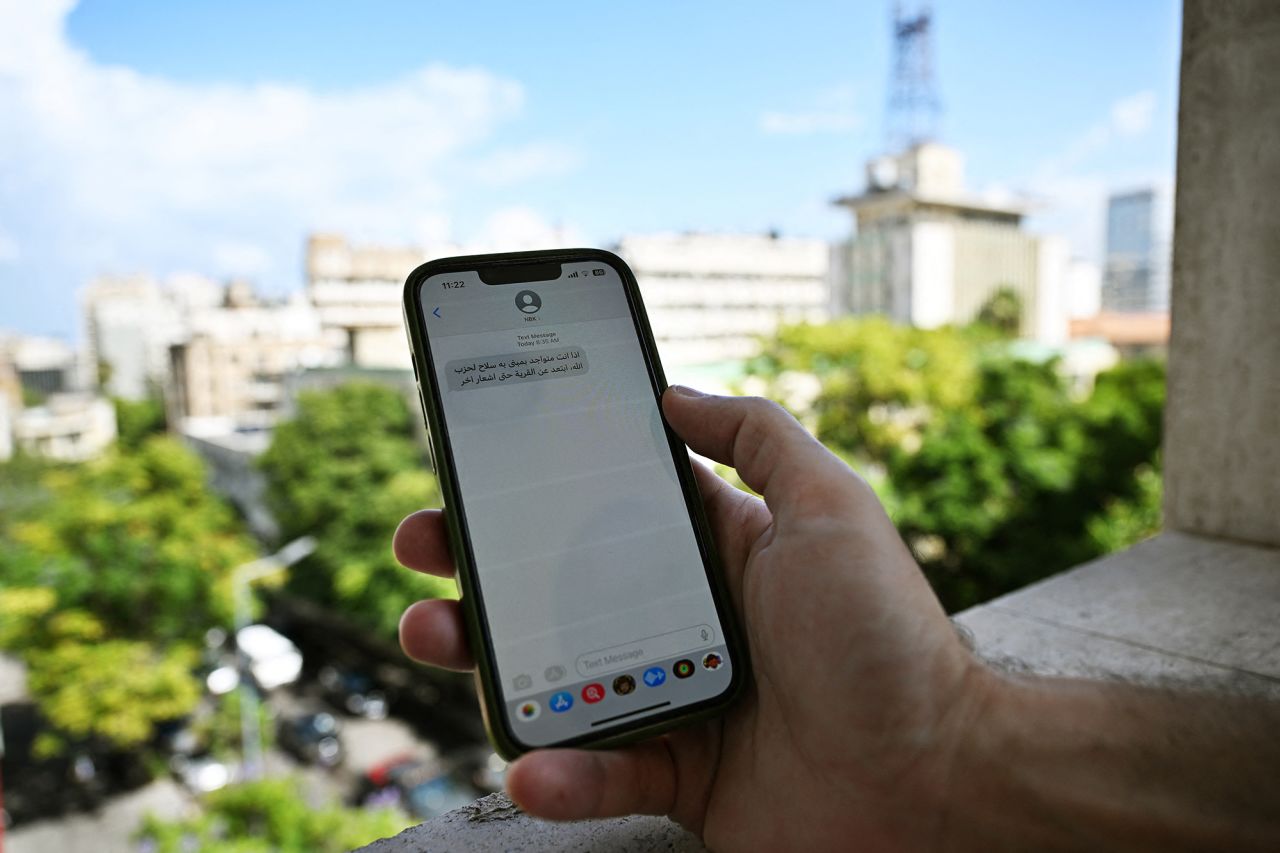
(346, 471)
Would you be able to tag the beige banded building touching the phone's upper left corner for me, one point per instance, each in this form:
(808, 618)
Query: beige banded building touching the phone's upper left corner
(358, 294)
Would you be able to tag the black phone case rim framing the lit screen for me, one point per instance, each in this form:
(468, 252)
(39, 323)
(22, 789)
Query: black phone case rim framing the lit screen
(473, 605)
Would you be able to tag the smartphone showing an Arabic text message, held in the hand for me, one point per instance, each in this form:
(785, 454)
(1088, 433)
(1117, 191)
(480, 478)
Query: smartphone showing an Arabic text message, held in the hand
(593, 595)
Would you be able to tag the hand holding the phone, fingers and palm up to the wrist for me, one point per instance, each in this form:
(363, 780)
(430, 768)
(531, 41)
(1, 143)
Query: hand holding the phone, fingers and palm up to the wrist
(861, 690)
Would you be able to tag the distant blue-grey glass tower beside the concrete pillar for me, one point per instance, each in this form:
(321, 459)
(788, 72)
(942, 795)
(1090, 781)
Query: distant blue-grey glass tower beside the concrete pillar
(1140, 229)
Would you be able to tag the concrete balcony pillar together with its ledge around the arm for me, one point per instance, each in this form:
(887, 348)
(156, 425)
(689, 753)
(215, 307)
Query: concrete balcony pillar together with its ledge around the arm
(1199, 605)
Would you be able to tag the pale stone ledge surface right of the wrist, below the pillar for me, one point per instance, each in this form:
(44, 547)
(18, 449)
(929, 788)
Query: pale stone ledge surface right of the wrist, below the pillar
(1174, 609)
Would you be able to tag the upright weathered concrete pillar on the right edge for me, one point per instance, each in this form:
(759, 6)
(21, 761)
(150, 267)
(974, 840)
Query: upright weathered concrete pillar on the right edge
(1223, 418)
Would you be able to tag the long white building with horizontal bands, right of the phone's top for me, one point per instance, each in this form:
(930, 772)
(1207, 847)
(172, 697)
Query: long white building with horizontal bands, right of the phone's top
(711, 298)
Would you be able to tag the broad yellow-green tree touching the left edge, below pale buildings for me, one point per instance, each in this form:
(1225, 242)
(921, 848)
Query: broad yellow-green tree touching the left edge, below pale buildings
(134, 539)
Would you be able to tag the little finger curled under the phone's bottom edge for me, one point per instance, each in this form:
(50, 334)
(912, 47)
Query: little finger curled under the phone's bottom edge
(573, 784)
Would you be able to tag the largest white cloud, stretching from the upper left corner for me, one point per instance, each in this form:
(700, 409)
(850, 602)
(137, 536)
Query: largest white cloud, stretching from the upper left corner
(127, 170)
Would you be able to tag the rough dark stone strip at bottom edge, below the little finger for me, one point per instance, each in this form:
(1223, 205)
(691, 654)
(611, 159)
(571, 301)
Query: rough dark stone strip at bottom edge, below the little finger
(496, 824)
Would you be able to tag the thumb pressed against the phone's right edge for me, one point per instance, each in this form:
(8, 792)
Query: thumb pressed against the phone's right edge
(772, 453)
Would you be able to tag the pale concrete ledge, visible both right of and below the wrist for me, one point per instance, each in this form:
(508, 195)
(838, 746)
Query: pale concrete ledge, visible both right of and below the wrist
(1177, 609)
